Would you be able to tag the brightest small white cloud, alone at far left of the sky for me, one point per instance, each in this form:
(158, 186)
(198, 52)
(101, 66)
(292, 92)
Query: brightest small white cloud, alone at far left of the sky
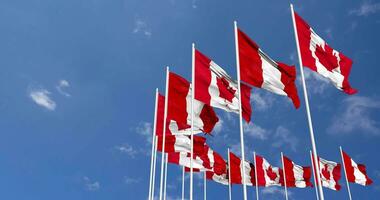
(41, 97)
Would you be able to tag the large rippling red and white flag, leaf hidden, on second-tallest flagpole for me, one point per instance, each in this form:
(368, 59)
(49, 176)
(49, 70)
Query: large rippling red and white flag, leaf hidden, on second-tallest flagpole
(259, 70)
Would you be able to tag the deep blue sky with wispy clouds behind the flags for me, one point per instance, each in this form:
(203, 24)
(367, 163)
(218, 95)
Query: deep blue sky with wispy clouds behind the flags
(77, 88)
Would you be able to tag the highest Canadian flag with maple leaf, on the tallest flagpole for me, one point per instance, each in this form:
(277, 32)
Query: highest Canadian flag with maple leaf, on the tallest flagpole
(321, 58)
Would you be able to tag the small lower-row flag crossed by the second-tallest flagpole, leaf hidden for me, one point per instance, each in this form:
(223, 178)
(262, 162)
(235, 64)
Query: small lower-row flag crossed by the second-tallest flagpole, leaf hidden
(236, 170)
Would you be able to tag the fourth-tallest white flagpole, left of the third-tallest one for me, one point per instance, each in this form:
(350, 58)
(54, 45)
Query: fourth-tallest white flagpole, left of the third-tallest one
(164, 132)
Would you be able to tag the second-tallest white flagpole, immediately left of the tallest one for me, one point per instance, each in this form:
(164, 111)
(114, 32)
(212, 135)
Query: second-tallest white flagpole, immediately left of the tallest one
(240, 109)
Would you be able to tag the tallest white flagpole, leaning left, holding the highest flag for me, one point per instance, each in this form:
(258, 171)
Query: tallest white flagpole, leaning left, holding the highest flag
(307, 106)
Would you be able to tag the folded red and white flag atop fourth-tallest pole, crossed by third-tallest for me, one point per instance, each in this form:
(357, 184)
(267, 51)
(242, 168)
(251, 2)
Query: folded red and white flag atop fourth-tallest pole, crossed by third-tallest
(179, 109)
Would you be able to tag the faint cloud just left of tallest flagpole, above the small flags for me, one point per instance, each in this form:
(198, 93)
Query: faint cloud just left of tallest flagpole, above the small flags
(283, 137)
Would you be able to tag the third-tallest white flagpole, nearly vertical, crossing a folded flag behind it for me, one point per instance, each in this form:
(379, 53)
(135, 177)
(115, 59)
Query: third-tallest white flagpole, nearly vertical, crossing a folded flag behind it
(192, 117)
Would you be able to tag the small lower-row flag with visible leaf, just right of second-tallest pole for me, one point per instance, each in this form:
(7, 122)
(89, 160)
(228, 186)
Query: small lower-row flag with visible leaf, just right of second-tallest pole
(267, 175)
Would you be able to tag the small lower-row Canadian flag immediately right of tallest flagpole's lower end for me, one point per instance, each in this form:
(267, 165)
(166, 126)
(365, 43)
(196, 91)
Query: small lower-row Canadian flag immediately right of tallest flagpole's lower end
(330, 173)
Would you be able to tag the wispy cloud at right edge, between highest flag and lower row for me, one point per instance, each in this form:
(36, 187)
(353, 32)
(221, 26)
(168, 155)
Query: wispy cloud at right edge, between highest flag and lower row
(356, 116)
